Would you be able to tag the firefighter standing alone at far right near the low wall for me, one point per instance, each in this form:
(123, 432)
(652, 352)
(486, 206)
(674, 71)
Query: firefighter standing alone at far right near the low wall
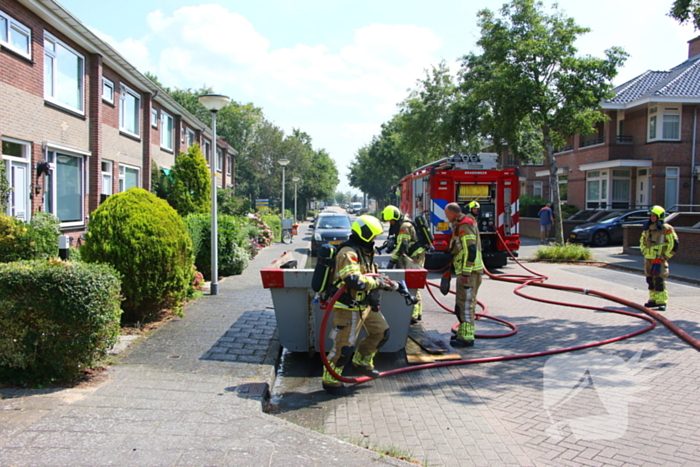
(658, 243)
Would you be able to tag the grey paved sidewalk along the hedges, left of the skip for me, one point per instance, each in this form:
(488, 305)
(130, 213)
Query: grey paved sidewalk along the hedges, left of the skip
(190, 394)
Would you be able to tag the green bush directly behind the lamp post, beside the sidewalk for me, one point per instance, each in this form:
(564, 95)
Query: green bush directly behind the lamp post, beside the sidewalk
(233, 258)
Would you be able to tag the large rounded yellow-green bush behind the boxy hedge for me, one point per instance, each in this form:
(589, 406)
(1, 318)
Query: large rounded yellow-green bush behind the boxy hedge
(144, 239)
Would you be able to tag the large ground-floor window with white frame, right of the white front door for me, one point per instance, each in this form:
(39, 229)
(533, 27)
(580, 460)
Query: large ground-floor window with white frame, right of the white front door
(65, 191)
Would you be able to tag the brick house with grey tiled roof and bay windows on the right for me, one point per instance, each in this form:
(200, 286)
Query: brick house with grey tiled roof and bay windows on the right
(645, 154)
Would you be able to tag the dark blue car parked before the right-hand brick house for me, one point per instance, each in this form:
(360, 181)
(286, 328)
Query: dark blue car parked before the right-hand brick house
(608, 228)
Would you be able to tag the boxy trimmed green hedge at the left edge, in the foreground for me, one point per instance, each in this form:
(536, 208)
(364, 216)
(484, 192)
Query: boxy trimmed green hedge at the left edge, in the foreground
(57, 319)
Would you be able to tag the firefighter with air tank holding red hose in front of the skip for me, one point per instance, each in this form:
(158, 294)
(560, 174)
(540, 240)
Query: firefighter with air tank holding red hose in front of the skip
(352, 312)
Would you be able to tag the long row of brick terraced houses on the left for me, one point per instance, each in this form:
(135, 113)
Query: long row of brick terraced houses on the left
(78, 122)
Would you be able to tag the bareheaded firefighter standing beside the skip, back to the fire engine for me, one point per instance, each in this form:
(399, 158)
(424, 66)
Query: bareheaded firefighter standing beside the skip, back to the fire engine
(466, 251)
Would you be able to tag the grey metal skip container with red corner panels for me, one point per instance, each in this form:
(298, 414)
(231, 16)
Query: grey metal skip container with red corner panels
(299, 316)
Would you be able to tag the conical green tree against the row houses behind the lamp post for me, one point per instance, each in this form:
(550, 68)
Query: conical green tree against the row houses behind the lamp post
(191, 186)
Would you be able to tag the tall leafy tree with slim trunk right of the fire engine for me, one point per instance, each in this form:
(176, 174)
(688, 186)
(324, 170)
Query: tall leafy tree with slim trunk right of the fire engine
(529, 78)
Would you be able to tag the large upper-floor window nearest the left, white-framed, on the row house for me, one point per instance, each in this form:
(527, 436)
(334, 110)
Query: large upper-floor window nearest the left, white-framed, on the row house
(64, 74)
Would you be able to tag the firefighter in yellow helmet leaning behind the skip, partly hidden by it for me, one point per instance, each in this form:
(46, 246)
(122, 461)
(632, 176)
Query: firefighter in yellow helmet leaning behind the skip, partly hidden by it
(406, 242)
